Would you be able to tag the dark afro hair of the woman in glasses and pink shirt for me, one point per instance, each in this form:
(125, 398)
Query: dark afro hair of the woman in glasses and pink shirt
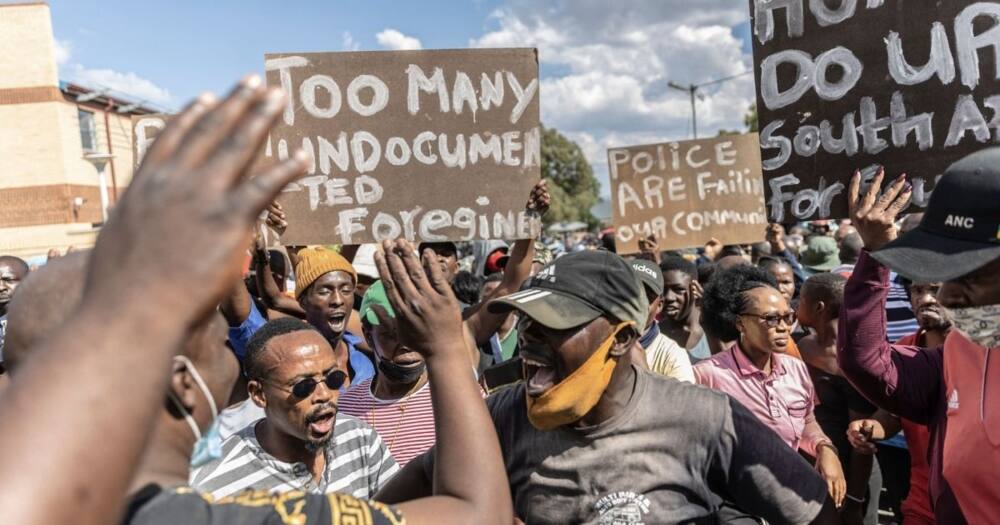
(725, 299)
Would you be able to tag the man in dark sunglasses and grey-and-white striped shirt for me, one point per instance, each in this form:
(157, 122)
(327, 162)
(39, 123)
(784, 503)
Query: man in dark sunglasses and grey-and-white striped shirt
(302, 443)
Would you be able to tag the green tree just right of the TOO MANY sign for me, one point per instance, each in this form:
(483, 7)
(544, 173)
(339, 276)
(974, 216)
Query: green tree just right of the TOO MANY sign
(572, 184)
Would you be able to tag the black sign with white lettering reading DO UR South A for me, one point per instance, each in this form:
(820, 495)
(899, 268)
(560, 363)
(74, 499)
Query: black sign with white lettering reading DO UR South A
(912, 86)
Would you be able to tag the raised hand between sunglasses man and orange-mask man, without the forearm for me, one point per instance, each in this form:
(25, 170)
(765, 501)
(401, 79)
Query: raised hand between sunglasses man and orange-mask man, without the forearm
(428, 314)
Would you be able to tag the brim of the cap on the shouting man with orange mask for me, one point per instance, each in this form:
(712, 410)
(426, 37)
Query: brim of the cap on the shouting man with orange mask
(551, 308)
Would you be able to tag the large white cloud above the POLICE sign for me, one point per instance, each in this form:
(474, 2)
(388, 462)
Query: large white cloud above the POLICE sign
(605, 68)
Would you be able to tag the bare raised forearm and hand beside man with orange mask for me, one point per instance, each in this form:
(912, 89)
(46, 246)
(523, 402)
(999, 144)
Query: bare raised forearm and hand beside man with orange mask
(469, 481)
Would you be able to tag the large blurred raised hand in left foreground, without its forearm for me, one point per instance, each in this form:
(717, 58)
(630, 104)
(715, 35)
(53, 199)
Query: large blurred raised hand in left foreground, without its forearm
(193, 194)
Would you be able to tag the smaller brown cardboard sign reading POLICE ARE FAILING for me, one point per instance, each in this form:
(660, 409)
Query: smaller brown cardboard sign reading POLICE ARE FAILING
(688, 192)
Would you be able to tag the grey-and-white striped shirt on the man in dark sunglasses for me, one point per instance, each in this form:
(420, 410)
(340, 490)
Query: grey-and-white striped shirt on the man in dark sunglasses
(357, 463)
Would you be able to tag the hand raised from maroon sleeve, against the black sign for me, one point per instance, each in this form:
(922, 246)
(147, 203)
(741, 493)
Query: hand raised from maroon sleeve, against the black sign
(875, 217)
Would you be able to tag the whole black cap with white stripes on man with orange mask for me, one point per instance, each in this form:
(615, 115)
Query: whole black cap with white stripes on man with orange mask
(578, 288)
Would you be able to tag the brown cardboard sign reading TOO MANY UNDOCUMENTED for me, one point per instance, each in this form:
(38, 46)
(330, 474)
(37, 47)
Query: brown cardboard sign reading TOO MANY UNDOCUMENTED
(426, 145)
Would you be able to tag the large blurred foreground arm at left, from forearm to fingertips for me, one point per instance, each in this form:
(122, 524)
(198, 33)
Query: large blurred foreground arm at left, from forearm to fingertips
(192, 194)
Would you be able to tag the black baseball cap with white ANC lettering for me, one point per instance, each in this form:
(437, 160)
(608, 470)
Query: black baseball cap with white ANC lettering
(960, 231)
